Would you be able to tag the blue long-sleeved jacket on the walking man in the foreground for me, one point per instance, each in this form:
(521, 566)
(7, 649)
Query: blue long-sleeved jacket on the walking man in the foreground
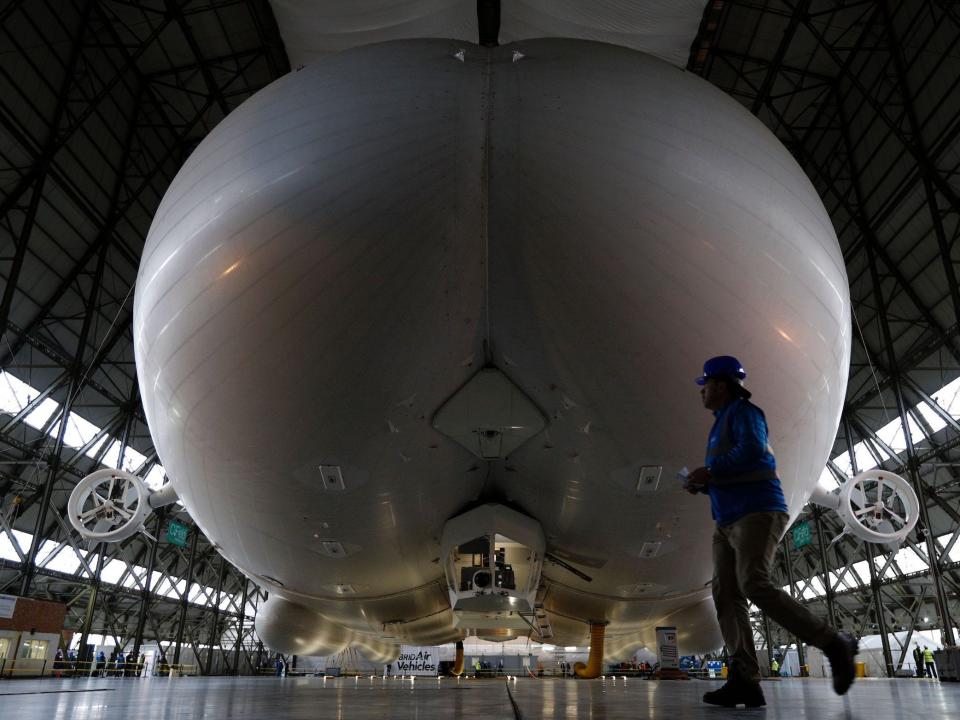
(743, 470)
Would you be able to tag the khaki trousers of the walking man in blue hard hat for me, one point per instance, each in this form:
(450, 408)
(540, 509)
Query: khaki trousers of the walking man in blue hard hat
(742, 555)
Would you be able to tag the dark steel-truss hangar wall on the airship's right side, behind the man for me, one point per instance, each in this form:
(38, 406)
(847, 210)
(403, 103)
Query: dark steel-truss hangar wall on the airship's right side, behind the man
(865, 95)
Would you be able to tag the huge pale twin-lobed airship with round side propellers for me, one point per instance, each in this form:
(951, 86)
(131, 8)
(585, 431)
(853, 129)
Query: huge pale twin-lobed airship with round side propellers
(416, 329)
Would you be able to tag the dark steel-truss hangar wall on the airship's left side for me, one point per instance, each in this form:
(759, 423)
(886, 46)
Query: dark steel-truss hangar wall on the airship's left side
(101, 101)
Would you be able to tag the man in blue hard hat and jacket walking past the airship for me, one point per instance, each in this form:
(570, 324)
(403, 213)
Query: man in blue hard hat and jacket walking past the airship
(740, 476)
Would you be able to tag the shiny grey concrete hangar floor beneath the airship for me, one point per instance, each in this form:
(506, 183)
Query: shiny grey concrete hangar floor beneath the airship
(311, 698)
